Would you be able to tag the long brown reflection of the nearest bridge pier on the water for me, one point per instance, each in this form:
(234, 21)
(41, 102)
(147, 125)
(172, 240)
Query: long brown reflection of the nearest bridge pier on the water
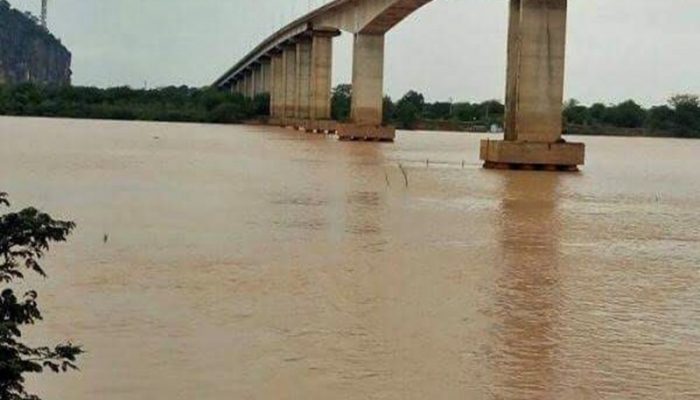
(527, 288)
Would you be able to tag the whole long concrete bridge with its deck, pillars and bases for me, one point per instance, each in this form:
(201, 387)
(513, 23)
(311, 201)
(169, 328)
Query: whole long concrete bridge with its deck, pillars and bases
(294, 66)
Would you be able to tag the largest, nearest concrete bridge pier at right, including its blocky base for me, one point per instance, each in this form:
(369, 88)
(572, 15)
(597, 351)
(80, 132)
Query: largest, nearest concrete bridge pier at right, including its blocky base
(534, 91)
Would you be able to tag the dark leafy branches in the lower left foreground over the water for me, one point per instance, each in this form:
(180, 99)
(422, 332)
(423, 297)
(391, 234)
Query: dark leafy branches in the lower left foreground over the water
(24, 239)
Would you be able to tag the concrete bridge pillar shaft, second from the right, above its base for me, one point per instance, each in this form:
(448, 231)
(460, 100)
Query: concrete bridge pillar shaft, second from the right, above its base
(367, 79)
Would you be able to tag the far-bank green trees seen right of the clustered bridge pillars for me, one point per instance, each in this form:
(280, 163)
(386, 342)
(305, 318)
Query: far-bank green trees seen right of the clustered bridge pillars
(679, 118)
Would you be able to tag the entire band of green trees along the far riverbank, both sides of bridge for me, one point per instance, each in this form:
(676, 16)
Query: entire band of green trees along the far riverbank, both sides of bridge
(679, 118)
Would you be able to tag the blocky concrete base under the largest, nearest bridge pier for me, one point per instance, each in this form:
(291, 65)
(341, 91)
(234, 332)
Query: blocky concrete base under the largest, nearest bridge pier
(560, 156)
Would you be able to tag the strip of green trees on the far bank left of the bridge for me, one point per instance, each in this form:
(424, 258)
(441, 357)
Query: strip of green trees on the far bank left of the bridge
(180, 104)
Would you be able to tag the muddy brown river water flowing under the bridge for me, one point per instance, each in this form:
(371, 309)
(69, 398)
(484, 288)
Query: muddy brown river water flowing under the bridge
(261, 263)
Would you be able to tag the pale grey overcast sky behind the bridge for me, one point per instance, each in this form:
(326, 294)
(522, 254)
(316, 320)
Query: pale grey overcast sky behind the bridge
(618, 49)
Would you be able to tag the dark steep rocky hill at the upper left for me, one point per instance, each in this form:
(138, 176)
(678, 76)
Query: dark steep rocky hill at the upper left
(28, 52)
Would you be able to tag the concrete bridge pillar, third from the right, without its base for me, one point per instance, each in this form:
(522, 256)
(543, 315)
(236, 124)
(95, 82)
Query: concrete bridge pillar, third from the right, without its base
(321, 69)
